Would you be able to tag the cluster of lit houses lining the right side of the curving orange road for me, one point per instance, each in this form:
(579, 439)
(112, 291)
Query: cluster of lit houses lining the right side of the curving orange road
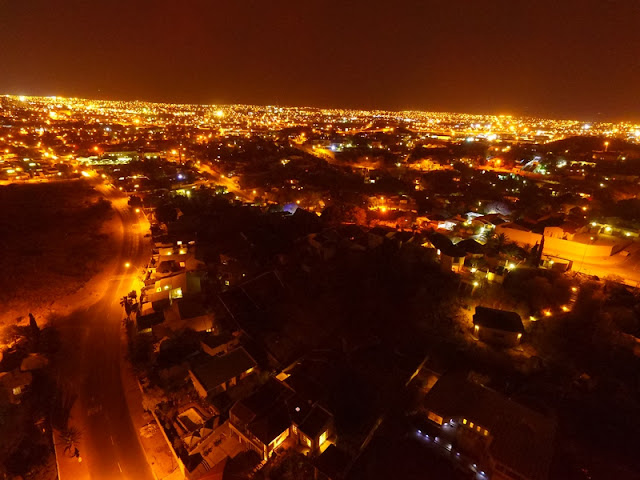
(238, 405)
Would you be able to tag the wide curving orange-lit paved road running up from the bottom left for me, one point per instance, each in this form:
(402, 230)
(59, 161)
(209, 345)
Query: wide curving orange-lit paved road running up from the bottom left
(90, 363)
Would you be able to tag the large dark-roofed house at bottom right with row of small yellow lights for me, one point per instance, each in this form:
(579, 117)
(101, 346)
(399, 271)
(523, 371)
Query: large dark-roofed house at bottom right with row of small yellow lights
(504, 439)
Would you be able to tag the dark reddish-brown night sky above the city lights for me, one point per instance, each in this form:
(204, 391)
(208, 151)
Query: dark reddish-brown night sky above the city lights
(565, 58)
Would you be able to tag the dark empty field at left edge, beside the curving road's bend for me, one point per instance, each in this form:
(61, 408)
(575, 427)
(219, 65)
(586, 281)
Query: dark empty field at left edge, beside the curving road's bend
(52, 239)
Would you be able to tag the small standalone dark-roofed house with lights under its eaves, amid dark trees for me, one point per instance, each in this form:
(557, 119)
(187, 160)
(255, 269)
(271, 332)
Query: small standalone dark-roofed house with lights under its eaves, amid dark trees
(499, 327)
